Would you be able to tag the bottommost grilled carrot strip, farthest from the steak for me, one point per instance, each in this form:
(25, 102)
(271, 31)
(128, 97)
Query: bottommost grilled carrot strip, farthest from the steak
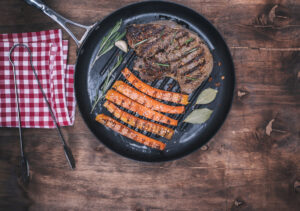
(129, 133)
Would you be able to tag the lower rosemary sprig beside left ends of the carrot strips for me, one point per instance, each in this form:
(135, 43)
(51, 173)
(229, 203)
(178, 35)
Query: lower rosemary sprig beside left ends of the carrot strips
(106, 84)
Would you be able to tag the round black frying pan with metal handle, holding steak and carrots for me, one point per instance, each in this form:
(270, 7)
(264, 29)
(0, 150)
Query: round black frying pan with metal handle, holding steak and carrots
(188, 137)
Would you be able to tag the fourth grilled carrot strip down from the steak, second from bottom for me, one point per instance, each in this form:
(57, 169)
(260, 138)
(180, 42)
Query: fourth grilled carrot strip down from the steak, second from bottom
(137, 122)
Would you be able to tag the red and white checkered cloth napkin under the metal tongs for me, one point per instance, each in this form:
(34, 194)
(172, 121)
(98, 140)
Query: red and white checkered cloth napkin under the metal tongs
(49, 54)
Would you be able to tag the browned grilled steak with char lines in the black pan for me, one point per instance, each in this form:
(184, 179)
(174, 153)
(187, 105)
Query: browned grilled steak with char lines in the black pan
(166, 49)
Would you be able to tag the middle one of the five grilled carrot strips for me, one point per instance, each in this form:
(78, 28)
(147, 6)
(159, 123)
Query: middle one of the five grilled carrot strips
(129, 104)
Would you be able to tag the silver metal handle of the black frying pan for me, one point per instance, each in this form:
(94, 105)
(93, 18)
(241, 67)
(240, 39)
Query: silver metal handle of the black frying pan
(61, 20)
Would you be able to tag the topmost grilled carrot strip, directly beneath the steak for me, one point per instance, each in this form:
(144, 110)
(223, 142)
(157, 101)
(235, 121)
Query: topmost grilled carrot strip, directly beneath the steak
(153, 92)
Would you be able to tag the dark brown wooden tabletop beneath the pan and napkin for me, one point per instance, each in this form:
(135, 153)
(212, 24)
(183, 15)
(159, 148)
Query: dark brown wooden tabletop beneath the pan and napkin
(241, 168)
